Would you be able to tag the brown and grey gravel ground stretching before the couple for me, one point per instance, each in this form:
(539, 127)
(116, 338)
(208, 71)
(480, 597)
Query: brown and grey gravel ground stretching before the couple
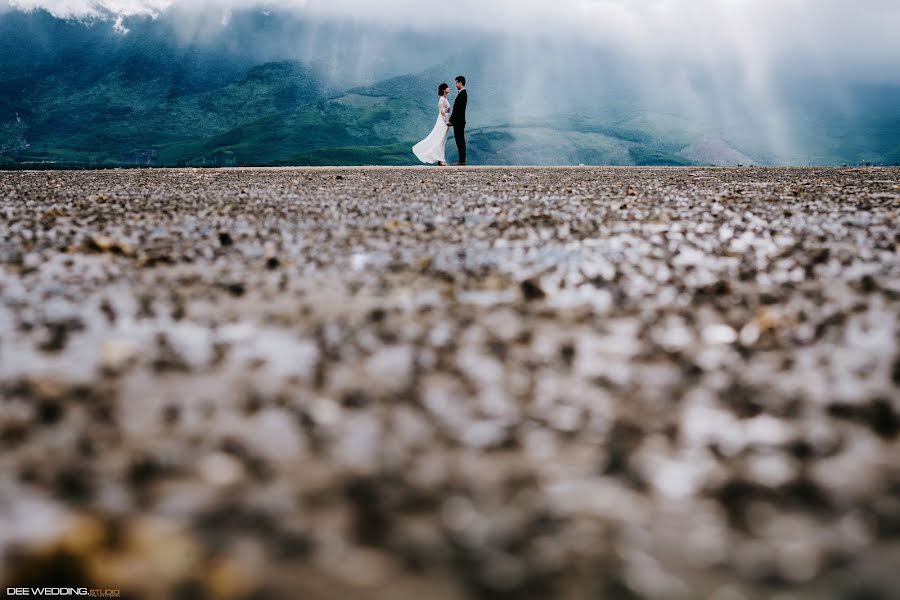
(452, 383)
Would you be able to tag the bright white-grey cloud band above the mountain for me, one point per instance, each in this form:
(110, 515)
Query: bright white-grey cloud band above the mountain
(857, 36)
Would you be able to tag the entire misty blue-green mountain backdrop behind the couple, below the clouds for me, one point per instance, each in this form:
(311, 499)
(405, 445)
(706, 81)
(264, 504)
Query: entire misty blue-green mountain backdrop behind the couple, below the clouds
(263, 88)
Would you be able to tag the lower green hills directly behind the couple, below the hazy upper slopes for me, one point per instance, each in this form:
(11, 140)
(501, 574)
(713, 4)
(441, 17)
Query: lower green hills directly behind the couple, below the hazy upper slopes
(279, 113)
